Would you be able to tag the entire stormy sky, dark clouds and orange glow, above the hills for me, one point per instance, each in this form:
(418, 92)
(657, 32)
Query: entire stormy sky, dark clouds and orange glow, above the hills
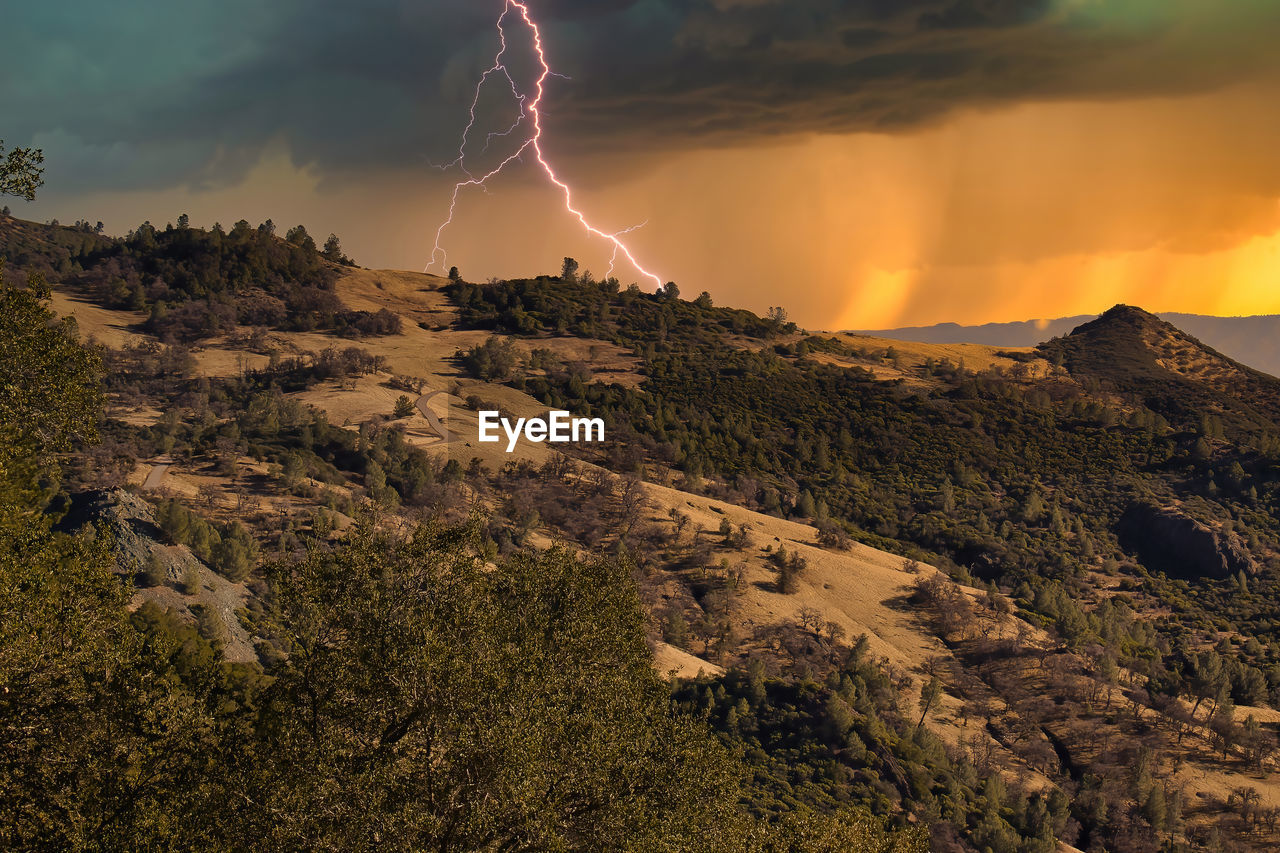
(862, 163)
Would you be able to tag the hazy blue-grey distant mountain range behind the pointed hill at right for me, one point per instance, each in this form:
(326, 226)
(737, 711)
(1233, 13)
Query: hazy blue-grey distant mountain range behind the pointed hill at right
(1251, 340)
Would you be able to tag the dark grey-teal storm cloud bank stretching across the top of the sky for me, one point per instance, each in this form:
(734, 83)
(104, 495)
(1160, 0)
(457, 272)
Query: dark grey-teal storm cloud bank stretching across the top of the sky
(143, 94)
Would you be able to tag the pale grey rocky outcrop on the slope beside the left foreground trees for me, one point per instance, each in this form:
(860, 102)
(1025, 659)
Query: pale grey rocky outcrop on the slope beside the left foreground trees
(136, 539)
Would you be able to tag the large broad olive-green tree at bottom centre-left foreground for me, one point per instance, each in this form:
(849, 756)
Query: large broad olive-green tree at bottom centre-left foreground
(432, 704)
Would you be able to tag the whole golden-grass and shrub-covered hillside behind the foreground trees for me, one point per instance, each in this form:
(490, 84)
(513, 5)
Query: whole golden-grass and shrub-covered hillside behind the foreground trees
(1023, 597)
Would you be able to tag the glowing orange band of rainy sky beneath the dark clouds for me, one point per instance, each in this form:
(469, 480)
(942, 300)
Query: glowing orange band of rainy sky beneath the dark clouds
(1036, 211)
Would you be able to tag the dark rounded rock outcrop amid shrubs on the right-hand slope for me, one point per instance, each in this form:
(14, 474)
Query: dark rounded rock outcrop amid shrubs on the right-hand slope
(1168, 540)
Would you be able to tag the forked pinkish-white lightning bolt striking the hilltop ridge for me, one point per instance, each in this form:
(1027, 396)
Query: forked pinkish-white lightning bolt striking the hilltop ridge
(531, 108)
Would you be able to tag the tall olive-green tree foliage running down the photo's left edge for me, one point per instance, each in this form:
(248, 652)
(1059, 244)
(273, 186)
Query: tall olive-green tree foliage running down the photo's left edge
(100, 743)
